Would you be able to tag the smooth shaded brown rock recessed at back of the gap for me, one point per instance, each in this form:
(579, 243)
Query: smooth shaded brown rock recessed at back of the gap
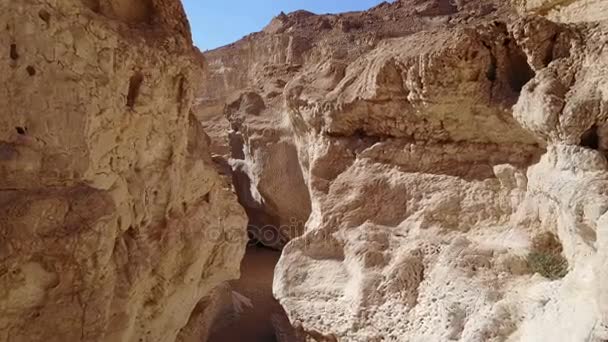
(272, 220)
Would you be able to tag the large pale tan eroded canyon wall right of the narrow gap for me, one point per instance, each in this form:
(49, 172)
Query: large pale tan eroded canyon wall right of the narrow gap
(439, 142)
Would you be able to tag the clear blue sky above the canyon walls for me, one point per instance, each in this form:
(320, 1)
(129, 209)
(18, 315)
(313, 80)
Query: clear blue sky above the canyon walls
(219, 22)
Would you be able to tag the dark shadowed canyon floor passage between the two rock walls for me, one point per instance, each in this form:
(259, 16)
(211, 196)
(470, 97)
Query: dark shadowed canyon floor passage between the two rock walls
(265, 318)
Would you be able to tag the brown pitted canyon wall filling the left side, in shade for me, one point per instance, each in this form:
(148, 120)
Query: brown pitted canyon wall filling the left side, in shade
(114, 222)
